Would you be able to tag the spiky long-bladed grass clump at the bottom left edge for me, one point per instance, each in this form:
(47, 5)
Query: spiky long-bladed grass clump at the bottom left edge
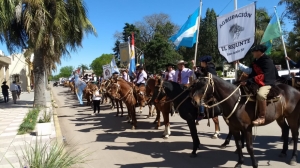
(51, 155)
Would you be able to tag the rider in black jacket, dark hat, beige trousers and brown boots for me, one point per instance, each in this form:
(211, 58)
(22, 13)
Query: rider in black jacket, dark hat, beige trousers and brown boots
(263, 74)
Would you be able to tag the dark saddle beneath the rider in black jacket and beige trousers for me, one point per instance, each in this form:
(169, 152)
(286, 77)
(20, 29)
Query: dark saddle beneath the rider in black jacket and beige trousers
(273, 96)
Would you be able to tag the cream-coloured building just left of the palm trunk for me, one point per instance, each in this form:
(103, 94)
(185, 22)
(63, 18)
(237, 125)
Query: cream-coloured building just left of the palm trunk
(20, 70)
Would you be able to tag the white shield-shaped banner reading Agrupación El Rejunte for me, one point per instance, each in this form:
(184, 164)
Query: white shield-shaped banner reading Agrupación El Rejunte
(236, 33)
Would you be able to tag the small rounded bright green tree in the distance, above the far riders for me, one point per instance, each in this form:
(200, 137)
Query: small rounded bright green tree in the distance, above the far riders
(97, 63)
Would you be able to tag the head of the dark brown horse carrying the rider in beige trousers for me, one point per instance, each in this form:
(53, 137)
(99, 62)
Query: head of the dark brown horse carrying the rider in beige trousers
(202, 90)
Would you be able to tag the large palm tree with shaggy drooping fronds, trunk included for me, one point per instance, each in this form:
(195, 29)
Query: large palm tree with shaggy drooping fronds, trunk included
(51, 28)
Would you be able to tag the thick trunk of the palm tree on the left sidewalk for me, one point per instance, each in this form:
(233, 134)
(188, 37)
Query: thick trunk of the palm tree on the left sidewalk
(39, 78)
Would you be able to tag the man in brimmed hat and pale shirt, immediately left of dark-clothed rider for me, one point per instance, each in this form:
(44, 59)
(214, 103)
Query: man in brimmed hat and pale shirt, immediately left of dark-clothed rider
(182, 74)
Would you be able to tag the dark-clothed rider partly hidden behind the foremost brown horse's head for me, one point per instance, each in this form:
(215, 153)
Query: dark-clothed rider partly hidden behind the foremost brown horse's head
(206, 66)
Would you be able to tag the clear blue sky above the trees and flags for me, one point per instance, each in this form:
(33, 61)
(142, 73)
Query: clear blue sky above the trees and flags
(109, 16)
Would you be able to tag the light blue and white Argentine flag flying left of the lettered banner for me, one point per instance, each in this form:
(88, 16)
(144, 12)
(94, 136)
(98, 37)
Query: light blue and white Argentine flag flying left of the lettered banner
(187, 35)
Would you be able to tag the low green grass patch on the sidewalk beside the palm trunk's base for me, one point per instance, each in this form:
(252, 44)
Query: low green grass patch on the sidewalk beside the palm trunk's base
(29, 121)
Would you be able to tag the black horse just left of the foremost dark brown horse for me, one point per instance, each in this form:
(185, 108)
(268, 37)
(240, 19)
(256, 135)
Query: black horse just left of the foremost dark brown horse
(179, 94)
